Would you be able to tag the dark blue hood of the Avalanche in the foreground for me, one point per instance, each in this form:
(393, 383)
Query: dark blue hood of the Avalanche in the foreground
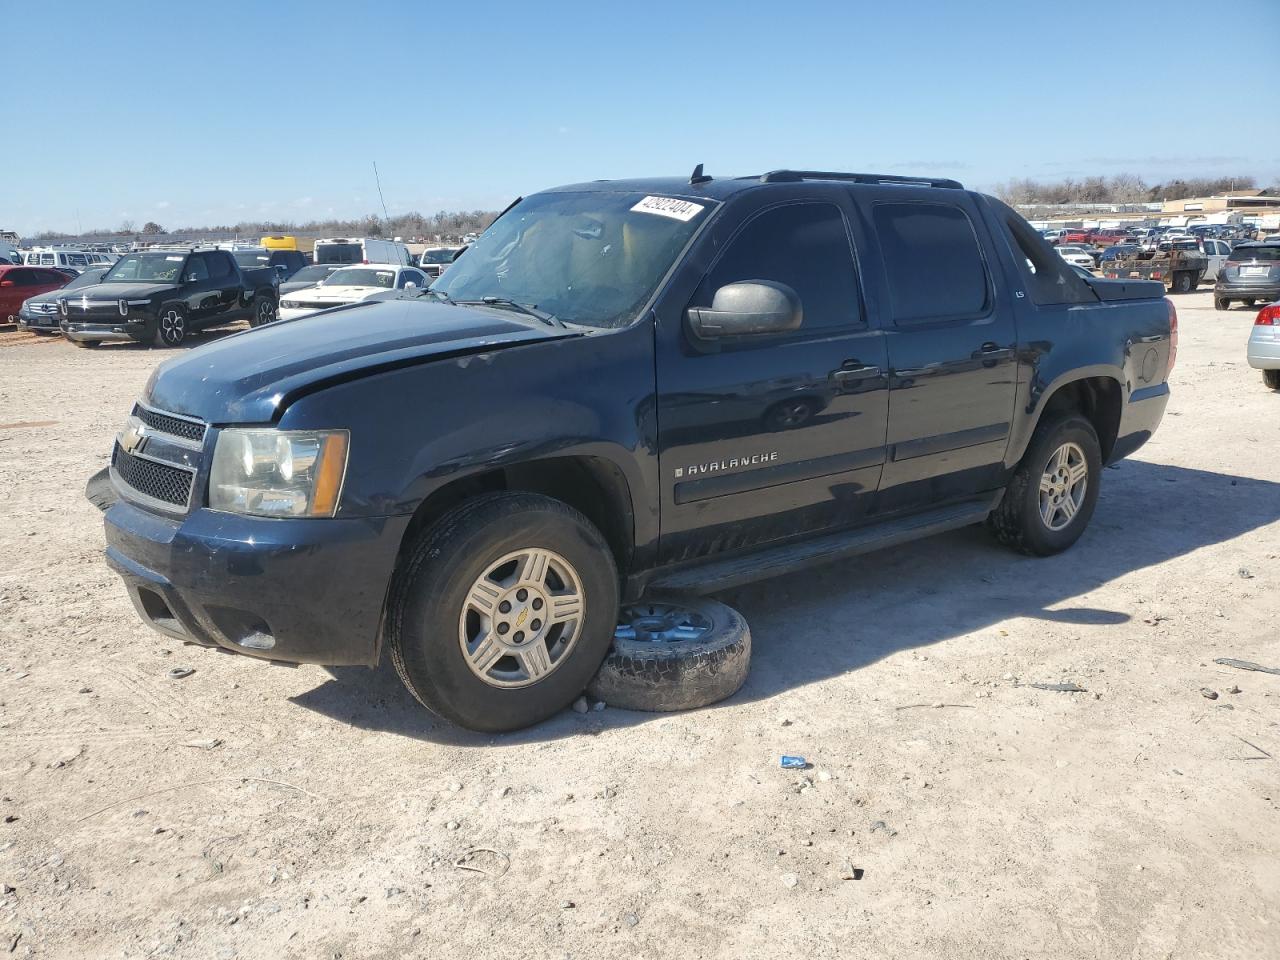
(252, 377)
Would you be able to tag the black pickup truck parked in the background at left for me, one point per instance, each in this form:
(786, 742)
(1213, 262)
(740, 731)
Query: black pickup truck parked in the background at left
(164, 296)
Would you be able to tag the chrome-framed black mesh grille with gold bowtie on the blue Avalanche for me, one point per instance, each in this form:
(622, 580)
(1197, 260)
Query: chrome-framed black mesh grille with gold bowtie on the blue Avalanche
(158, 458)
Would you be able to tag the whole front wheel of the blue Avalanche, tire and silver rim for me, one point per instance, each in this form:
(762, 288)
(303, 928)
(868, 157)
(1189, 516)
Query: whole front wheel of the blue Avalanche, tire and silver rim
(502, 611)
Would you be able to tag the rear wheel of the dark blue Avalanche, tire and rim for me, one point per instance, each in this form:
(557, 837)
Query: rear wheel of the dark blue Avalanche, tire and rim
(1052, 499)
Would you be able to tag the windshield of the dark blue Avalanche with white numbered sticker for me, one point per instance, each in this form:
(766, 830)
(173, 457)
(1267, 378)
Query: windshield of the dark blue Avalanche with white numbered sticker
(591, 259)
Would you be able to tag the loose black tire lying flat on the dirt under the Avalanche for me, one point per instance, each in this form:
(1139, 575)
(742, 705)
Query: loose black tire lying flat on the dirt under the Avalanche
(676, 675)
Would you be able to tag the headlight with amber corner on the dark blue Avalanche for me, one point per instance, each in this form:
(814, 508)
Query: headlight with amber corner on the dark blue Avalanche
(278, 473)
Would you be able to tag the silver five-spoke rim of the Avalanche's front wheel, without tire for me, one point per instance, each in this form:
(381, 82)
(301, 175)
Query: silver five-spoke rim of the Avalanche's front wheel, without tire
(522, 619)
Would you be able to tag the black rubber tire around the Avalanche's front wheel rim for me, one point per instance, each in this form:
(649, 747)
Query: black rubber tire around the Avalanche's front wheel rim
(428, 610)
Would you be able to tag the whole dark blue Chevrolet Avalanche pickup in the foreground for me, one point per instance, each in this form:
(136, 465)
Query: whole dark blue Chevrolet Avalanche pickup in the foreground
(630, 386)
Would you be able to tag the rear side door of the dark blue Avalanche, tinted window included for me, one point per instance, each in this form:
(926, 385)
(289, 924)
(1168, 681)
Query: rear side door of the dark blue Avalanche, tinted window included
(952, 344)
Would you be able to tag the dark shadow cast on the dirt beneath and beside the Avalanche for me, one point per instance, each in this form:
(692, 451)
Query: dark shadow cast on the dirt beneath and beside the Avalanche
(812, 627)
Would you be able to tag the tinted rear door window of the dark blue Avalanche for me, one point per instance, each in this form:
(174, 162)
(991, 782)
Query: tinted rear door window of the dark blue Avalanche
(935, 264)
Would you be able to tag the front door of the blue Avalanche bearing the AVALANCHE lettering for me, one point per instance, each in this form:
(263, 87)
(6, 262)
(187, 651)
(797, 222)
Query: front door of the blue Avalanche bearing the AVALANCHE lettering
(779, 436)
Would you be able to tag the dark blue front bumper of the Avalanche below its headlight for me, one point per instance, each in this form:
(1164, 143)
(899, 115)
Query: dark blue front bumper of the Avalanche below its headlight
(295, 591)
